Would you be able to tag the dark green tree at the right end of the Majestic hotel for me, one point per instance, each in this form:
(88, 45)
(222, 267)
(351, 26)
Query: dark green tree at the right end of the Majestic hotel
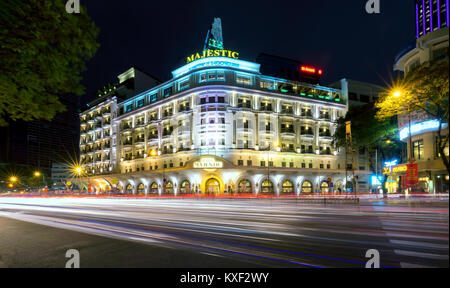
(371, 133)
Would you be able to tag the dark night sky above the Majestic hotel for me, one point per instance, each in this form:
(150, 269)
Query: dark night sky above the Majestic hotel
(338, 36)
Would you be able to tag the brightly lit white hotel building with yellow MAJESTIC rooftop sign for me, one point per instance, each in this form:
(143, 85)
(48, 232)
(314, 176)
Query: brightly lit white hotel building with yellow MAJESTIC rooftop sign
(219, 126)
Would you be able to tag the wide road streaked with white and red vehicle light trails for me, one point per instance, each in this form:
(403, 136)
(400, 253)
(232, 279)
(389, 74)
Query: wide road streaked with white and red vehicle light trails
(195, 233)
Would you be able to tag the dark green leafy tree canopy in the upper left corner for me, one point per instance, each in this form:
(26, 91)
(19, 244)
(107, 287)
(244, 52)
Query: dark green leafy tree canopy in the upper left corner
(43, 50)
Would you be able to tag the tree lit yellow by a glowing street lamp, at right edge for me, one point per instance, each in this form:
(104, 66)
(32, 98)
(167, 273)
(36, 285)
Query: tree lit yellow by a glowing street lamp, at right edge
(426, 90)
